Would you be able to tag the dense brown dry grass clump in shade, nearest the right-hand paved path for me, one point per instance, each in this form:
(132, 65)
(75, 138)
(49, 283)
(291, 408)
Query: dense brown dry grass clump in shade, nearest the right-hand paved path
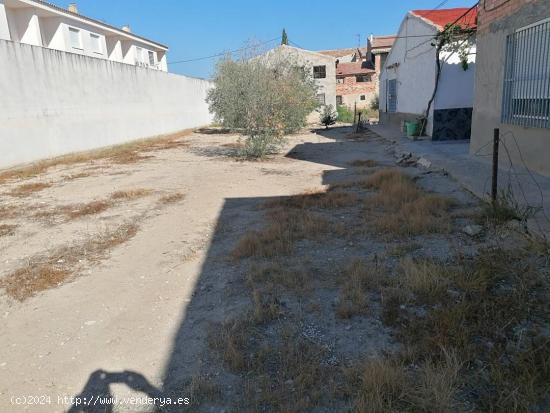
(404, 208)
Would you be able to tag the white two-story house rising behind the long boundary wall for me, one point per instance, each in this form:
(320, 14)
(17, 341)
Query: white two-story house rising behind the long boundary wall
(39, 23)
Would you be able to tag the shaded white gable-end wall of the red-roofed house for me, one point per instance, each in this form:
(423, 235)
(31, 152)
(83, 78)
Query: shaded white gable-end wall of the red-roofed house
(413, 61)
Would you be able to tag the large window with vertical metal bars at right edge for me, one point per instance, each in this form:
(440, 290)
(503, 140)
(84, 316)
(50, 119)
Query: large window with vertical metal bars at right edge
(526, 95)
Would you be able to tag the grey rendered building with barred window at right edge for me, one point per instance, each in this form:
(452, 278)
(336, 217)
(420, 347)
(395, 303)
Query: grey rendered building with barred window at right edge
(512, 84)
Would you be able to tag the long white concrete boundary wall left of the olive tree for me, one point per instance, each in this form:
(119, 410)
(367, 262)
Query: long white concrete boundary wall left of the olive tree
(53, 103)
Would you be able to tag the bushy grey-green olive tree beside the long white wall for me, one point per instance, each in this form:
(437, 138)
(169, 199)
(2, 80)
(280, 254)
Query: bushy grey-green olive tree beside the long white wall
(264, 99)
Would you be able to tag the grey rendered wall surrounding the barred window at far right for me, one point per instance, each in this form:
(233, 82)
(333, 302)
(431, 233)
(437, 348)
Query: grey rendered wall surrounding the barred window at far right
(533, 144)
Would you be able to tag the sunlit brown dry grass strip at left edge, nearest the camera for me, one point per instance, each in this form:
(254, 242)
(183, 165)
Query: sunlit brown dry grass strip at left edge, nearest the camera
(45, 272)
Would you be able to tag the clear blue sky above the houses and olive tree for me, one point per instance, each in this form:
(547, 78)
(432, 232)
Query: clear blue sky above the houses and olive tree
(197, 28)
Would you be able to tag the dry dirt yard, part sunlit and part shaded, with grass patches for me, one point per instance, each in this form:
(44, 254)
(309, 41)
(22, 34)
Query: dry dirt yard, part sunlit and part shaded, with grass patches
(298, 283)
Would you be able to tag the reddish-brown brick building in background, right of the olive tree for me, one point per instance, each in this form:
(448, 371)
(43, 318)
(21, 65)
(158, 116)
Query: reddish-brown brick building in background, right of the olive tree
(357, 71)
